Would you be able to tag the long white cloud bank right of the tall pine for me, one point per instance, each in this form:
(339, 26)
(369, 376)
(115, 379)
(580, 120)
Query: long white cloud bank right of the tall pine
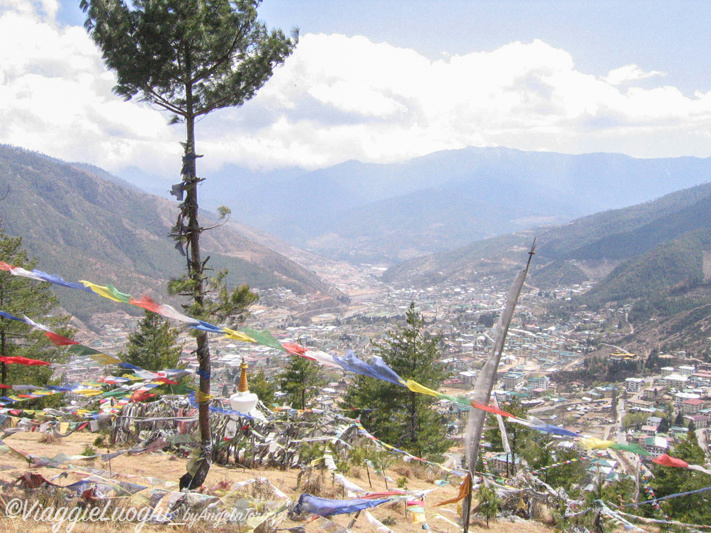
(339, 98)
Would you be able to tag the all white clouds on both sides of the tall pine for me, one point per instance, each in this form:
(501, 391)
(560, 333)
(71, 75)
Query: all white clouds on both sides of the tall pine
(339, 98)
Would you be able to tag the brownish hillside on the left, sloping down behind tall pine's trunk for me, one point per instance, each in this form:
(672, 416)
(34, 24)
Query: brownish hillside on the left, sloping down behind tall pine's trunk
(83, 226)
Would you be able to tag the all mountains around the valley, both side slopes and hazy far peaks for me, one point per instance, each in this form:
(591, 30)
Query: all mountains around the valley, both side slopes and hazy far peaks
(84, 223)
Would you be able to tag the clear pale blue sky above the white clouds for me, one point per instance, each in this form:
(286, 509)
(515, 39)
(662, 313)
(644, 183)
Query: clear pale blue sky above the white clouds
(600, 34)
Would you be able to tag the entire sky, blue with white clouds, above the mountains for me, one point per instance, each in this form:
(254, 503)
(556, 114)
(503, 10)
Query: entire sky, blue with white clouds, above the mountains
(385, 81)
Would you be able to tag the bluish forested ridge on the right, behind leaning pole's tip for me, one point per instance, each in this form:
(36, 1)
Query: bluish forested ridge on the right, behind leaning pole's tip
(630, 252)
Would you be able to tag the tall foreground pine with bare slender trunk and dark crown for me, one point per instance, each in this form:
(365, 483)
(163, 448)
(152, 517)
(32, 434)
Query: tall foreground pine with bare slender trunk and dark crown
(189, 57)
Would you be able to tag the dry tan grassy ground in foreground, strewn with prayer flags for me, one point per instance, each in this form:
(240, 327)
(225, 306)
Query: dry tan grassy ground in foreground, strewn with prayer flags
(167, 467)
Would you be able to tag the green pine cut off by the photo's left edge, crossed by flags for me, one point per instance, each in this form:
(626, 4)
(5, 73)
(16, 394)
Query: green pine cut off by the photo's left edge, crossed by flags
(20, 297)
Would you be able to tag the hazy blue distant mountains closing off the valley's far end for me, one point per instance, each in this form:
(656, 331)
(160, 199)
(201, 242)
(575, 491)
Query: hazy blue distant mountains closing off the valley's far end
(390, 213)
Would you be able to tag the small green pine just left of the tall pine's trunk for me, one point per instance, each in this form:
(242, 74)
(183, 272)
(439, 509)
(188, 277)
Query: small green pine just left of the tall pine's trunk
(154, 345)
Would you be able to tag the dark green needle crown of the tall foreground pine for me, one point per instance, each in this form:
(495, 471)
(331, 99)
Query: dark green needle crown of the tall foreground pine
(189, 57)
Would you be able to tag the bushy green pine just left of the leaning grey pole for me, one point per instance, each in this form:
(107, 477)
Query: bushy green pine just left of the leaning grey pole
(395, 414)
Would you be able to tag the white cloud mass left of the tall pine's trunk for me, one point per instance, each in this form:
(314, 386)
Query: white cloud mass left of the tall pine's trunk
(55, 96)
